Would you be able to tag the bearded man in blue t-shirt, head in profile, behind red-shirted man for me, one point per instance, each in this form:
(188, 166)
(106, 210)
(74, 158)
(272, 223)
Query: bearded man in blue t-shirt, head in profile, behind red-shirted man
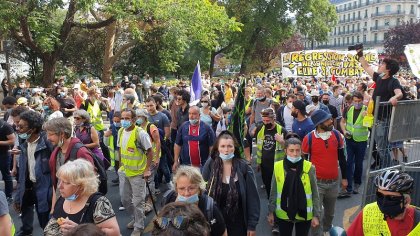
(302, 124)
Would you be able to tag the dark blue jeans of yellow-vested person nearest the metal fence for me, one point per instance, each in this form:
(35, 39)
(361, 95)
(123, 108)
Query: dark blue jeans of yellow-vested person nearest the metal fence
(355, 154)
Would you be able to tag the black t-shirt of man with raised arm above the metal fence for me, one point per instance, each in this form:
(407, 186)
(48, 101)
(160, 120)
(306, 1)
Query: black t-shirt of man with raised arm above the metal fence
(385, 89)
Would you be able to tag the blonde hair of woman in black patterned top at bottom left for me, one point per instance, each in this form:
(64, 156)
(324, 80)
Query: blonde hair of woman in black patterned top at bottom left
(80, 172)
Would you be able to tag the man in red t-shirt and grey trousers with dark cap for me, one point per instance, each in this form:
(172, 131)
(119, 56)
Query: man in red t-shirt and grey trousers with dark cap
(324, 147)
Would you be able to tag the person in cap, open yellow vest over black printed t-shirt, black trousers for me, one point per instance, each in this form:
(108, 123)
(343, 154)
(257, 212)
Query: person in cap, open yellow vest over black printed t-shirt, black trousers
(270, 139)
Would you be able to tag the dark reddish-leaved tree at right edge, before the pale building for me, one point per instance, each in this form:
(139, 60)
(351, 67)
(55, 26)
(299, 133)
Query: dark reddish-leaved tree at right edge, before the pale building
(397, 37)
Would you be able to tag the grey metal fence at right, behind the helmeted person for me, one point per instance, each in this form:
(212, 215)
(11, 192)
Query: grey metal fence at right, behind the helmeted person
(394, 144)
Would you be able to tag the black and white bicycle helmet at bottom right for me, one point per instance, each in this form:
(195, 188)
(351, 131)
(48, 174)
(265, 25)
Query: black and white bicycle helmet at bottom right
(394, 181)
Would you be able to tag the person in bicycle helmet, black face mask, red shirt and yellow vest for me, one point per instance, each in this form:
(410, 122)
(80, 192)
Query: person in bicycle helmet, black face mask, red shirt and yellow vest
(391, 213)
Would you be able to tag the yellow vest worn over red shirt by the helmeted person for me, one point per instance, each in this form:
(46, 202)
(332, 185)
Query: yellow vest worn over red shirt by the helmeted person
(374, 223)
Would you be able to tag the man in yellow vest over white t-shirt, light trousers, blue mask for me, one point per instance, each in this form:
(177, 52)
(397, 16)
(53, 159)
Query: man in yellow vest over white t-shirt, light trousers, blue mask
(136, 157)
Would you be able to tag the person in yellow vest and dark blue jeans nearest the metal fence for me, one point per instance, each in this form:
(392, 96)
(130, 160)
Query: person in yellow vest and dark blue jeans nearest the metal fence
(356, 143)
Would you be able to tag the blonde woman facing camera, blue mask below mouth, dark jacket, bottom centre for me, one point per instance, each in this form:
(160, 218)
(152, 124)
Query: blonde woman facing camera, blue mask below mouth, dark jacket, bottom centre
(189, 188)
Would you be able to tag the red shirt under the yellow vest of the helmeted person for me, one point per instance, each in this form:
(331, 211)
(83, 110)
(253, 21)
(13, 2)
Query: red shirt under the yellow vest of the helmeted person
(396, 227)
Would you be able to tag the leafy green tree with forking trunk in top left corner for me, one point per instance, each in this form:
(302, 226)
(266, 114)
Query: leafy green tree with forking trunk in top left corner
(44, 26)
